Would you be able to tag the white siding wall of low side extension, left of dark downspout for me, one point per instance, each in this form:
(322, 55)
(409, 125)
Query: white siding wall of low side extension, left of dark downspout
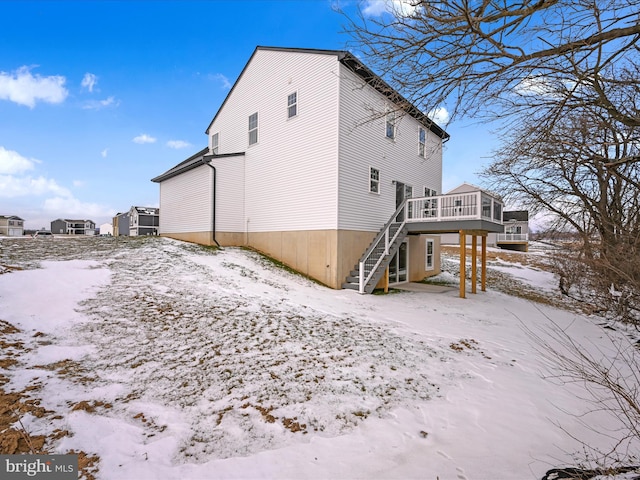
(185, 202)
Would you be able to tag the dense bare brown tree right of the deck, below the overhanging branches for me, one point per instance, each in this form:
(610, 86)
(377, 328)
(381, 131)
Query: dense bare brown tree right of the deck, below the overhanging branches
(577, 167)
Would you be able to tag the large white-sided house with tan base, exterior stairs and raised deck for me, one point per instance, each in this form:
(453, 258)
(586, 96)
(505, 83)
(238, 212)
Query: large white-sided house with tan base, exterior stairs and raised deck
(313, 160)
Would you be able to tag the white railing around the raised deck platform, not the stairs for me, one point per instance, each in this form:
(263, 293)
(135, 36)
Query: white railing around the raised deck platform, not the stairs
(463, 206)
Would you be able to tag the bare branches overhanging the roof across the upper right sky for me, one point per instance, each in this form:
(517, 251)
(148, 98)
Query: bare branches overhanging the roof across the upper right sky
(496, 58)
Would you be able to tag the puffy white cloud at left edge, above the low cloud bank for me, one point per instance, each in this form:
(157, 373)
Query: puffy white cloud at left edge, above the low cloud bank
(24, 88)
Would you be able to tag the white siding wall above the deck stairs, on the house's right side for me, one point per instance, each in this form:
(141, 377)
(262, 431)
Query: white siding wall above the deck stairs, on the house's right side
(363, 143)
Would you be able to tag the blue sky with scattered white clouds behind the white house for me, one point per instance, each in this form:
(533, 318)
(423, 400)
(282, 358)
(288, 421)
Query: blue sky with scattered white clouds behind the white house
(97, 98)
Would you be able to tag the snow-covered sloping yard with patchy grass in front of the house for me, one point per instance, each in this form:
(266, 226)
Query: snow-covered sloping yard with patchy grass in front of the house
(166, 360)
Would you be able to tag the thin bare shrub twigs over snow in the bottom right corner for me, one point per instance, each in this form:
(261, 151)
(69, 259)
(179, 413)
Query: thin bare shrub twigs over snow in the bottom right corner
(609, 374)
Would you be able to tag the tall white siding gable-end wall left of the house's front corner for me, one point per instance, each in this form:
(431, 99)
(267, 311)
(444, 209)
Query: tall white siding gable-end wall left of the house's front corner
(291, 173)
